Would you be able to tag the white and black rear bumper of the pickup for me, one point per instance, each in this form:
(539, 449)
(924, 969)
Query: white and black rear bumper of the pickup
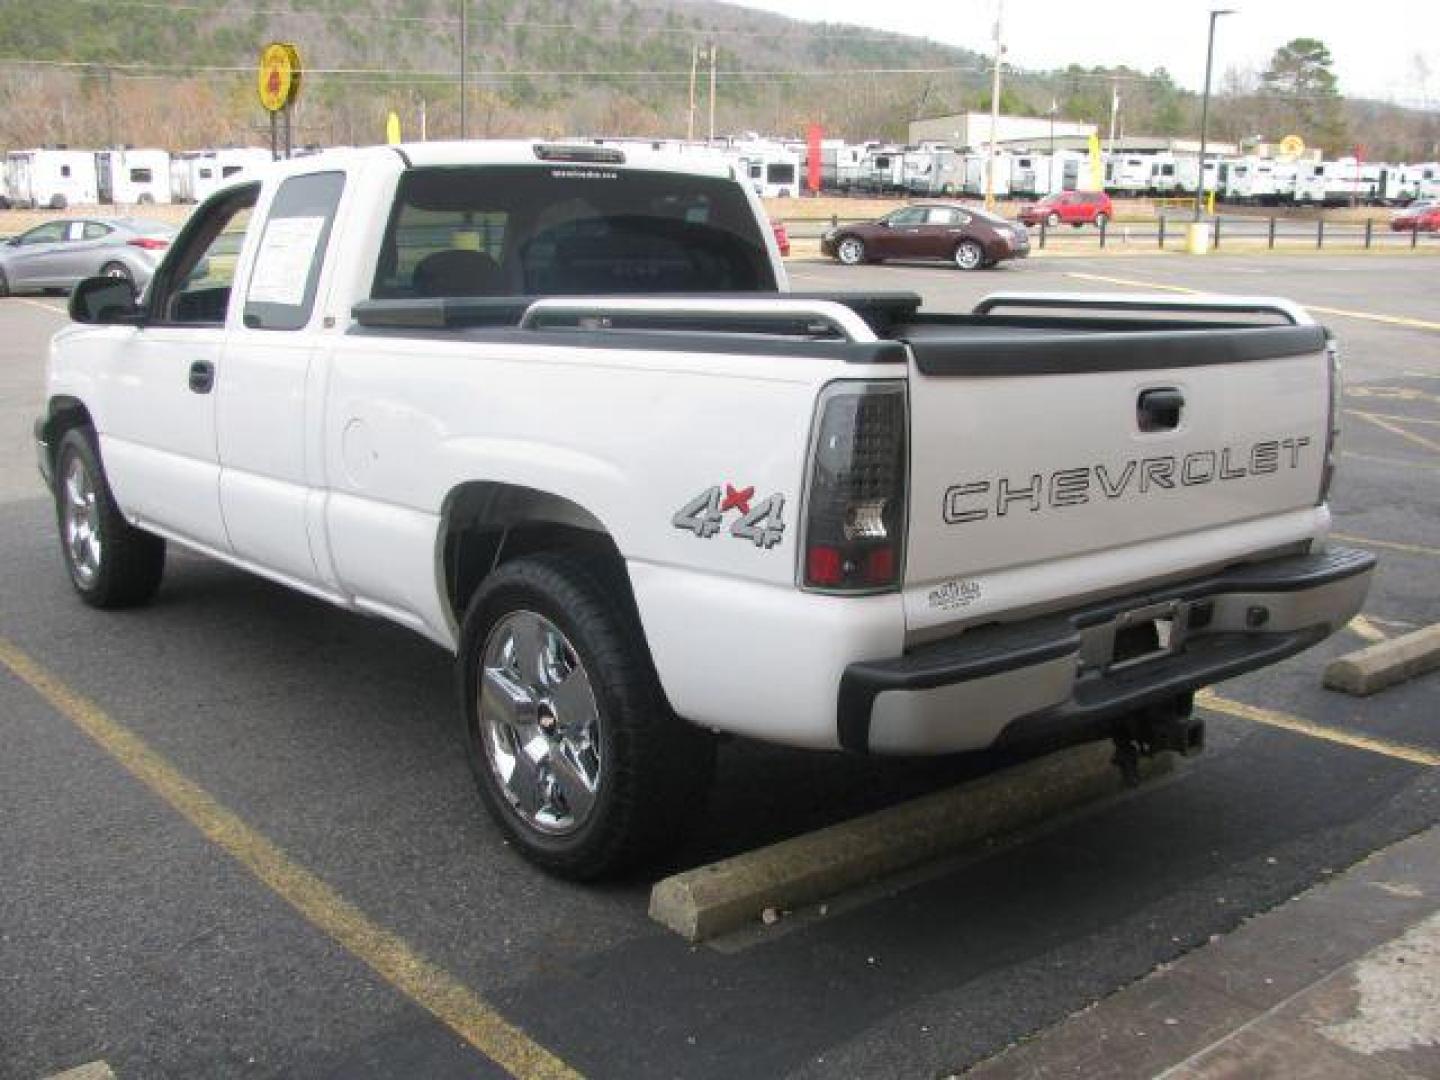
(1053, 679)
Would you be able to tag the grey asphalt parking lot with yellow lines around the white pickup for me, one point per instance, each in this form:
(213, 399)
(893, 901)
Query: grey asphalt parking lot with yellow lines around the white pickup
(303, 883)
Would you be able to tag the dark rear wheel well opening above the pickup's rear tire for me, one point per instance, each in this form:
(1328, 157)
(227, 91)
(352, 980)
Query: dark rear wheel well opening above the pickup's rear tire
(490, 525)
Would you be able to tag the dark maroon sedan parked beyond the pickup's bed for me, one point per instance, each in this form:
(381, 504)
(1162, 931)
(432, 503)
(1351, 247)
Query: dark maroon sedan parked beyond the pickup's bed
(966, 235)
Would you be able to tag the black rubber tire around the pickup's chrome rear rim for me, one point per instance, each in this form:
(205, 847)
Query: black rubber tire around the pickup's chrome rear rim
(654, 770)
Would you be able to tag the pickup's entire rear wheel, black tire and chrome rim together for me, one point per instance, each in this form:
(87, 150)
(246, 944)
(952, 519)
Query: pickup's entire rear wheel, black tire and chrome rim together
(575, 751)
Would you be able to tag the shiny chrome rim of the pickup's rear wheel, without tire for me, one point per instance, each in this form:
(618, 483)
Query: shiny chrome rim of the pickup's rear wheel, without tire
(539, 724)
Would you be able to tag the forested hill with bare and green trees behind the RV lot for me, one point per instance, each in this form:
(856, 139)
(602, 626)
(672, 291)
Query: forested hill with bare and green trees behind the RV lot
(148, 73)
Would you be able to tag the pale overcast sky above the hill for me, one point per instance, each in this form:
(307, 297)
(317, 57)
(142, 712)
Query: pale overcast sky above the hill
(1374, 45)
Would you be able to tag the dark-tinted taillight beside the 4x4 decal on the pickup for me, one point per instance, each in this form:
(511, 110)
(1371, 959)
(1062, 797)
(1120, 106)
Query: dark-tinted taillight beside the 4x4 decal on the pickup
(856, 502)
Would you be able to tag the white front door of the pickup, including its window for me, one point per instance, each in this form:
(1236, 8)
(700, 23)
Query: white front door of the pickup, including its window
(159, 402)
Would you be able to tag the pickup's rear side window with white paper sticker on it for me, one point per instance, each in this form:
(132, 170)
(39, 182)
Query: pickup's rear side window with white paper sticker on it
(287, 267)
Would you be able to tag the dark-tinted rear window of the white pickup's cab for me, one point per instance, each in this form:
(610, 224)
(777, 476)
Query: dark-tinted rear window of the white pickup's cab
(516, 231)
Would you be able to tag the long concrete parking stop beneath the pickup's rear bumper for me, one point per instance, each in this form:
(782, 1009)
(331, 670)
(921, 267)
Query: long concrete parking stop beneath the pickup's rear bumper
(735, 892)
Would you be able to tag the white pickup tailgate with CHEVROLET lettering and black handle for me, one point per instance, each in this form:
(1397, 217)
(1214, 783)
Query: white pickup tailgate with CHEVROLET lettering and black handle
(1043, 447)
